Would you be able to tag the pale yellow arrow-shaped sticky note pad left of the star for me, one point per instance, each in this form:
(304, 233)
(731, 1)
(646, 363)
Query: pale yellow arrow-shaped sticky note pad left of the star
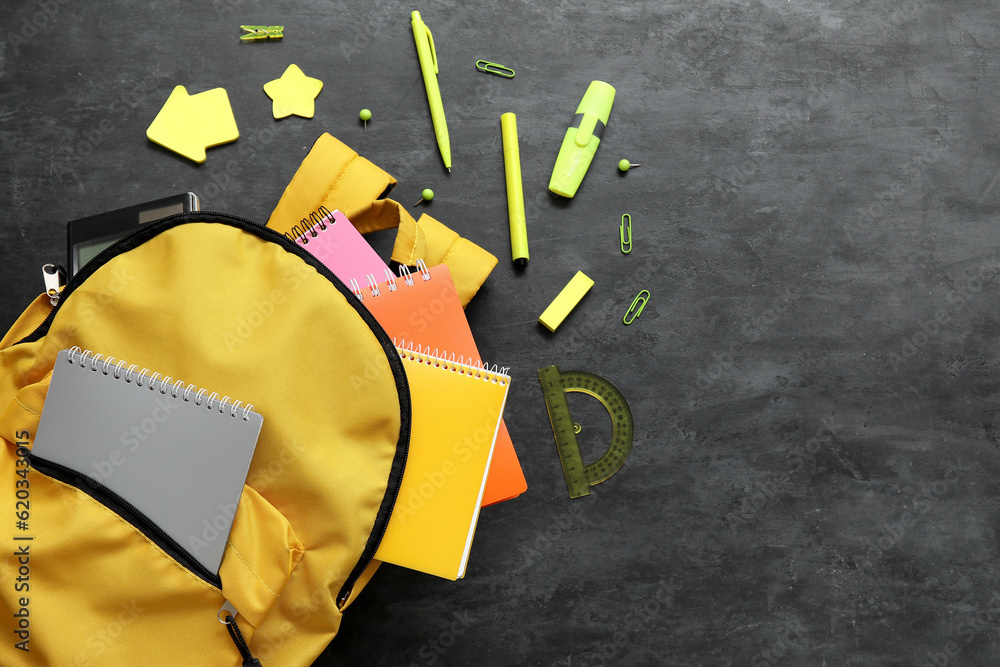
(188, 124)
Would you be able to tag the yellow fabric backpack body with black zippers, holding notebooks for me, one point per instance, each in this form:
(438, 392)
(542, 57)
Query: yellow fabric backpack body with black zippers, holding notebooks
(235, 307)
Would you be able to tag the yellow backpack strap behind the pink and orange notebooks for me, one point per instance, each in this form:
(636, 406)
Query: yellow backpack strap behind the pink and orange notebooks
(334, 176)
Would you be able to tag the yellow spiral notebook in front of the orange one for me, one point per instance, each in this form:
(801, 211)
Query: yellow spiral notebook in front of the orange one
(456, 411)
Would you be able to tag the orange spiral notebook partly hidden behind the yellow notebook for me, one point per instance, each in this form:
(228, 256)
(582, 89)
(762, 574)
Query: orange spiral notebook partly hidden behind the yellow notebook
(423, 308)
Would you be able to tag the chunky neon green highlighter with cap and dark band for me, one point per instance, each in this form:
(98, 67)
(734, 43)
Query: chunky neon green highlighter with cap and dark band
(582, 139)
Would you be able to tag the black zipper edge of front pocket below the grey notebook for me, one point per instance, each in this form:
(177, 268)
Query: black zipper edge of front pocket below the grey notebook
(127, 511)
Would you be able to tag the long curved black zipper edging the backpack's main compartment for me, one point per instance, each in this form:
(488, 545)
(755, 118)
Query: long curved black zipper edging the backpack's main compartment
(152, 229)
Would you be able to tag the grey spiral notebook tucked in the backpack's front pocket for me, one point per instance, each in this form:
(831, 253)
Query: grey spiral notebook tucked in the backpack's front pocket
(176, 453)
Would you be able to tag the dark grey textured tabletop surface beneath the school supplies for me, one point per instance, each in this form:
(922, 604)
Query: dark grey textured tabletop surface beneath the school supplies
(814, 381)
